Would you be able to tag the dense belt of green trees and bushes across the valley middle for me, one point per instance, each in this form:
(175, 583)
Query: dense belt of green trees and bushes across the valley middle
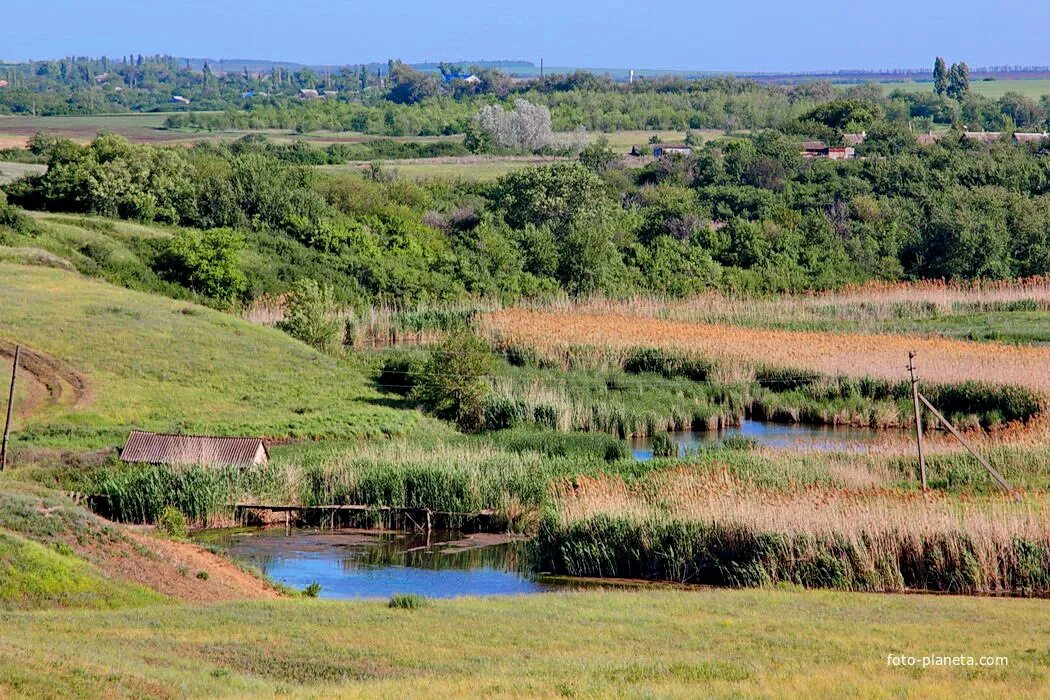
(746, 214)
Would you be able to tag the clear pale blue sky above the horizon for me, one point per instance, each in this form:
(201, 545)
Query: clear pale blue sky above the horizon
(694, 35)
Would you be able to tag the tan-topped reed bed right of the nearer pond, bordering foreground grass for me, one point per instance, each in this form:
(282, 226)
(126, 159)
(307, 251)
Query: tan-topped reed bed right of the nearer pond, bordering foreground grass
(709, 527)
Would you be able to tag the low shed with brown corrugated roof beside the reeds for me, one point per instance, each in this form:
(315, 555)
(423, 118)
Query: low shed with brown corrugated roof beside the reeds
(157, 449)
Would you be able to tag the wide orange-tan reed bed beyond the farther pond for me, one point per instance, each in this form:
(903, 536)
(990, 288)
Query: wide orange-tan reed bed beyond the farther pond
(739, 352)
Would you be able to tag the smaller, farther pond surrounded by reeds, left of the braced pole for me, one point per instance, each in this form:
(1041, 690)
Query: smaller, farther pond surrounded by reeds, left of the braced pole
(790, 436)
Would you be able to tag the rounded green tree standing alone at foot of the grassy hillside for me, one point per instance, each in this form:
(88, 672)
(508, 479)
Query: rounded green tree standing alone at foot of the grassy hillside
(453, 383)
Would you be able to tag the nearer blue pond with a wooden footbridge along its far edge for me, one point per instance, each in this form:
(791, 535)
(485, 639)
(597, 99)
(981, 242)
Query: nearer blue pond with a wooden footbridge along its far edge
(355, 564)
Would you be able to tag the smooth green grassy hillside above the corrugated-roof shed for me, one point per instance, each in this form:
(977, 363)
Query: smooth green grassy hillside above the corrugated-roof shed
(162, 365)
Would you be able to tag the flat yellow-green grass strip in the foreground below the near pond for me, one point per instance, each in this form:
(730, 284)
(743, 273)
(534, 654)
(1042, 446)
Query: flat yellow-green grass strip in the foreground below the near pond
(716, 643)
